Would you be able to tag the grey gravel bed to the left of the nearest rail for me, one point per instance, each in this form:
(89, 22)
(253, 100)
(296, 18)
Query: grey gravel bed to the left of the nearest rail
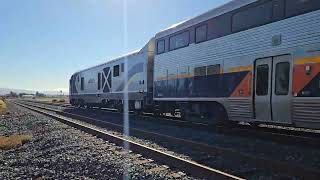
(57, 151)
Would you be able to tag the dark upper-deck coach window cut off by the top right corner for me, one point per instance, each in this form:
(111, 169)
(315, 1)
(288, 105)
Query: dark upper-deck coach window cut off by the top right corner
(296, 7)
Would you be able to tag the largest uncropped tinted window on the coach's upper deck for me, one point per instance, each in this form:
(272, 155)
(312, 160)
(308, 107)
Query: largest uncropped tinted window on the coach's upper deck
(252, 17)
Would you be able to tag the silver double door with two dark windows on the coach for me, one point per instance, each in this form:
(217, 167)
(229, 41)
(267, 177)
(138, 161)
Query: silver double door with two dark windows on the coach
(273, 82)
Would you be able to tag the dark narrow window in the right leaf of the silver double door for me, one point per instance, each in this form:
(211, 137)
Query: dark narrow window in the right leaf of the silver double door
(282, 78)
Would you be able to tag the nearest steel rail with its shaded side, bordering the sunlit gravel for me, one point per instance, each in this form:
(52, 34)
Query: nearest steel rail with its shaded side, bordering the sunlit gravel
(190, 167)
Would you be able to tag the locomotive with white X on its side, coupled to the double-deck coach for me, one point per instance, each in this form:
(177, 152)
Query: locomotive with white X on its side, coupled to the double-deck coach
(104, 85)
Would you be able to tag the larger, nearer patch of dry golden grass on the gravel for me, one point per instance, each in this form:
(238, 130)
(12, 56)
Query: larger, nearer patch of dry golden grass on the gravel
(13, 141)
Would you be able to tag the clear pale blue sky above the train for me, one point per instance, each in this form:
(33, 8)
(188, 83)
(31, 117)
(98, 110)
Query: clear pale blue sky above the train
(43, 42)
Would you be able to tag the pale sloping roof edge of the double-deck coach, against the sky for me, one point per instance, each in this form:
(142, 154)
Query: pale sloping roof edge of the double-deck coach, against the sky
(230, 6)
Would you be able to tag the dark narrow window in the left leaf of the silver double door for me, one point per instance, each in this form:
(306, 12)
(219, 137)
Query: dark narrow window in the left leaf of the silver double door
(262, 81)
